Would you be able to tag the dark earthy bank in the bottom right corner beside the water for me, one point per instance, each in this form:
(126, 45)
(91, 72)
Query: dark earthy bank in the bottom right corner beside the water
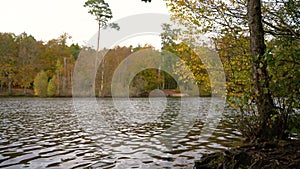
(274, 155)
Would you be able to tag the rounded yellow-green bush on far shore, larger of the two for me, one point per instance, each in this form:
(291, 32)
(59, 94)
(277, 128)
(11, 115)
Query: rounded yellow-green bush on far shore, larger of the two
(41, 84)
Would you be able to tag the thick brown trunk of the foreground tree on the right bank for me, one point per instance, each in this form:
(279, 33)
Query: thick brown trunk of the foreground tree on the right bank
(260, 77)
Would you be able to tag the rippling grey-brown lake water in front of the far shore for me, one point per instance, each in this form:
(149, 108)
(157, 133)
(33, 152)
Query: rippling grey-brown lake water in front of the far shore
(107, 133)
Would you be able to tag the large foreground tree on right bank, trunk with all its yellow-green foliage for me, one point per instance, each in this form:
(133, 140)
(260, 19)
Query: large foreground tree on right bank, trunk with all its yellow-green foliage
(262, 22)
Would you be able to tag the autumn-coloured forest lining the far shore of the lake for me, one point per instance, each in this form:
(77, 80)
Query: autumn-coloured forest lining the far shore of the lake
(30, 67)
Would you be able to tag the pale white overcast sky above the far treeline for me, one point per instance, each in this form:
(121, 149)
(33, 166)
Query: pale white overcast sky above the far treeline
(48, 19)
